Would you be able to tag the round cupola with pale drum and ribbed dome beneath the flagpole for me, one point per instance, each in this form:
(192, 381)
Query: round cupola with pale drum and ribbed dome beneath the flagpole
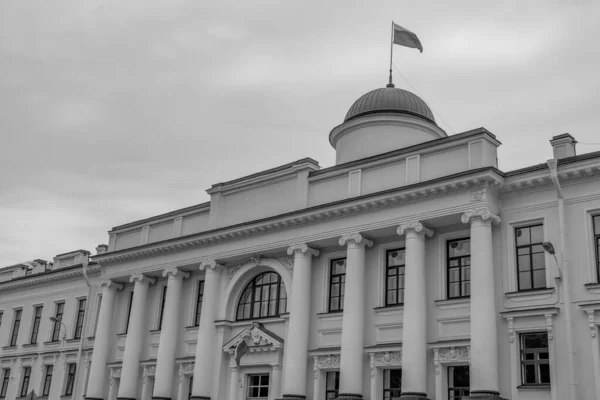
(383, 120)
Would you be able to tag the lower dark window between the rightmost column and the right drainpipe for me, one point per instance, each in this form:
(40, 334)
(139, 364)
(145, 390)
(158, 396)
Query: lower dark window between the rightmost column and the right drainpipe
(535, 359)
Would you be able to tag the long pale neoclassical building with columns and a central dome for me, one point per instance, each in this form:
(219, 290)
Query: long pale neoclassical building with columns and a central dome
(413, 266)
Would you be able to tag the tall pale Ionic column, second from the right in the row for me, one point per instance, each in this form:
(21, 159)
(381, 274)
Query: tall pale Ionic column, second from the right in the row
(414, 340)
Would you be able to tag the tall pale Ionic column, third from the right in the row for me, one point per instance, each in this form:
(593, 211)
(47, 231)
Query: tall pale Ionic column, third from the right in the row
(351, 361)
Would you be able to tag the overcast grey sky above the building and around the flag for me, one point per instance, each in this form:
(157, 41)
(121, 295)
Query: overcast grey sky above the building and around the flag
(118, 110)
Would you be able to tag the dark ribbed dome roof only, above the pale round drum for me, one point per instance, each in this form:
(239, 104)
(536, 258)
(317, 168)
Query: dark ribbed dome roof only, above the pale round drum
(390, 100)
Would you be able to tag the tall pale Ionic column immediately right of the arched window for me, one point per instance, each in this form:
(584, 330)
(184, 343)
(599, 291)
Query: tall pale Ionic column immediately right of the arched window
(297, 351)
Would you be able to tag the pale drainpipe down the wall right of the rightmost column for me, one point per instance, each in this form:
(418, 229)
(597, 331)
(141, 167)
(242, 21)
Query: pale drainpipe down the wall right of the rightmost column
(552, 164)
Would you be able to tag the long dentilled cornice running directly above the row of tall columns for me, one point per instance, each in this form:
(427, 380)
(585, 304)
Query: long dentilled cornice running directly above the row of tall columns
(417, 192)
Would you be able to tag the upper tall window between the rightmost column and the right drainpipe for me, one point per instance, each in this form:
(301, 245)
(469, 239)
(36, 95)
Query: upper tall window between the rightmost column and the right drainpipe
(531, 264)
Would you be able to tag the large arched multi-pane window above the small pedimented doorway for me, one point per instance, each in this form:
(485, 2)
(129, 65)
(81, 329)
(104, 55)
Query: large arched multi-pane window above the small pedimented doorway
(265, 296)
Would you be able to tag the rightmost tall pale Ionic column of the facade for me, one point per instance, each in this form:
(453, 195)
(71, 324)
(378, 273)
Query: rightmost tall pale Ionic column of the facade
(484, 351)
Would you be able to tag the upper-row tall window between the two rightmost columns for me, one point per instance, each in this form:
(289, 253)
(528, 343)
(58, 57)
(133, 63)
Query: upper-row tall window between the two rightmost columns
(459, 268)
